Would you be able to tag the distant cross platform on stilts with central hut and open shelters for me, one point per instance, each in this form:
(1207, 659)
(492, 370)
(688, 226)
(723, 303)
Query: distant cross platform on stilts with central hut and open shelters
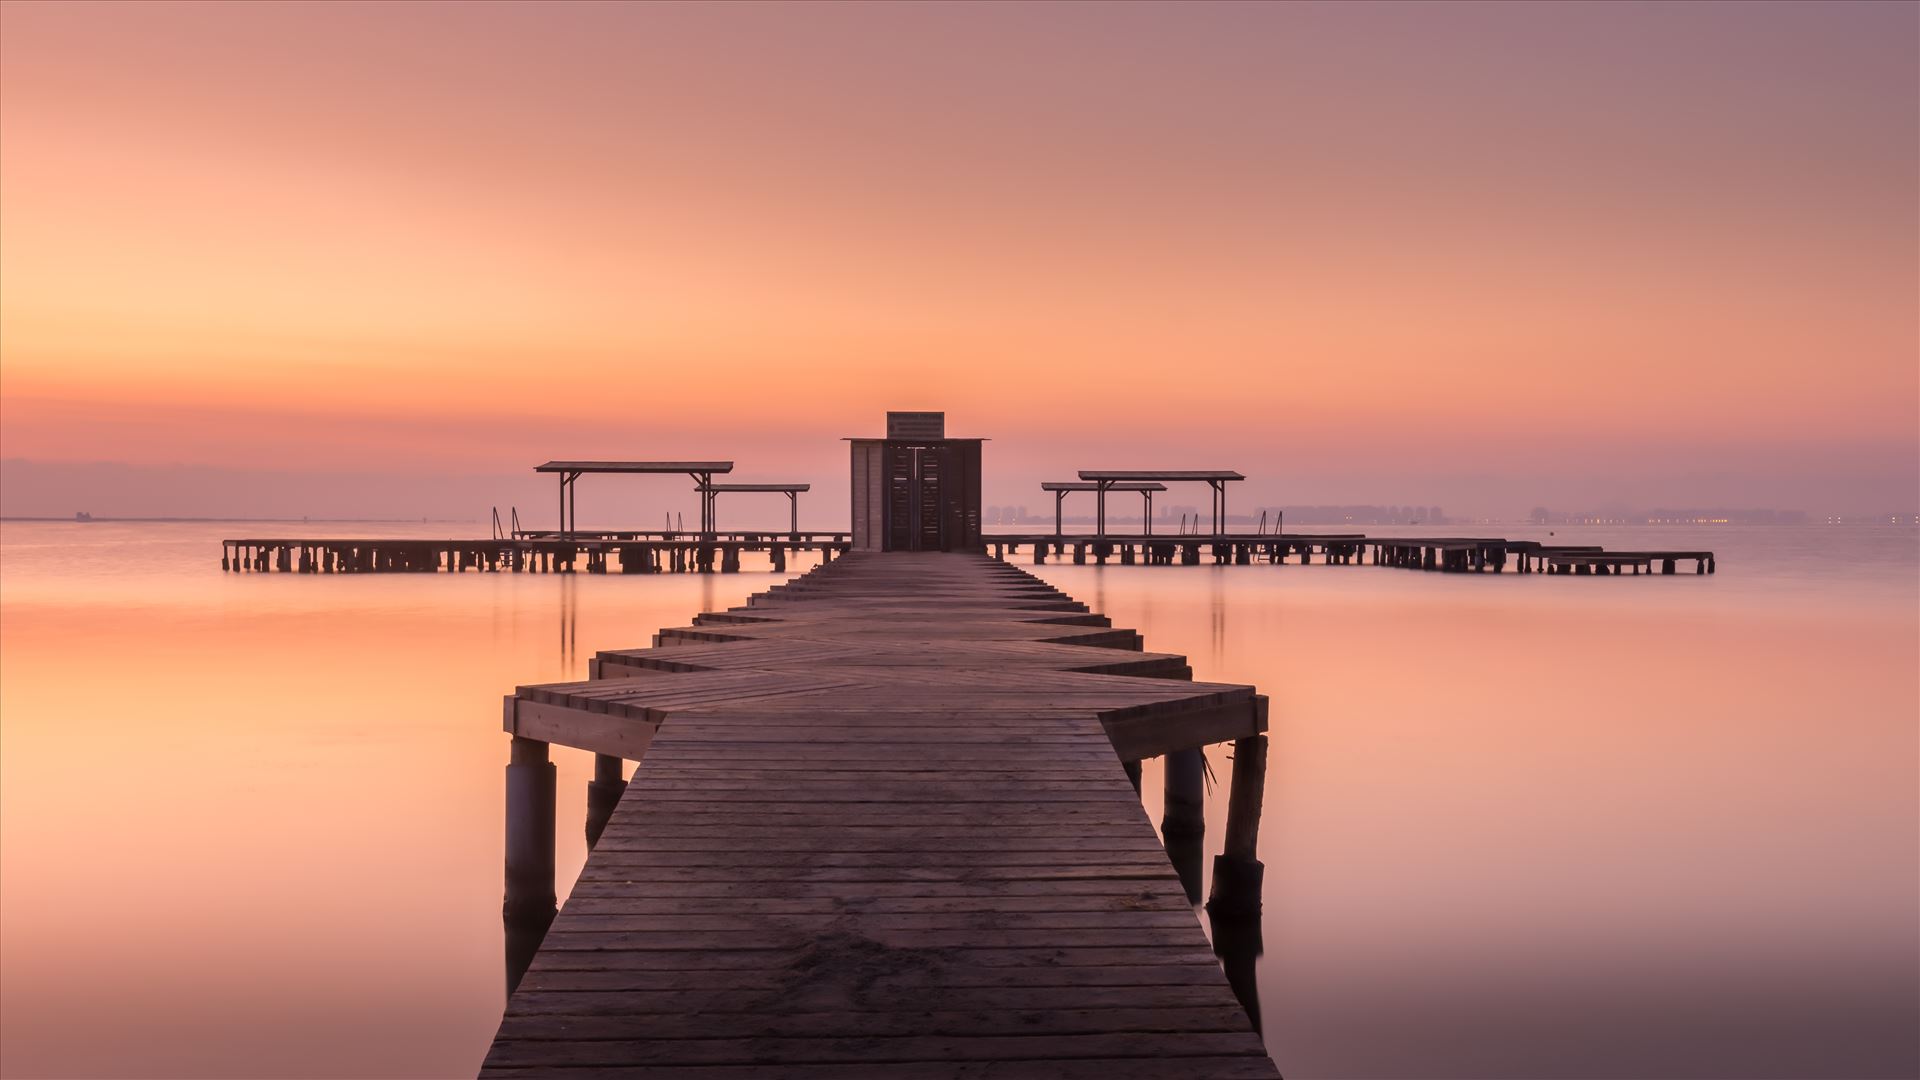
(919, 491)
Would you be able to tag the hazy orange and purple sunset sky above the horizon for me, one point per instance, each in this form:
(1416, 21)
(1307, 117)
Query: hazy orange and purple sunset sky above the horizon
(379, 260)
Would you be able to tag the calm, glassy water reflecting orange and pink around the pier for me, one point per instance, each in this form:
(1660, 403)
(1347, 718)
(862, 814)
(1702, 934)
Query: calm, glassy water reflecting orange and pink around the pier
(251, 825)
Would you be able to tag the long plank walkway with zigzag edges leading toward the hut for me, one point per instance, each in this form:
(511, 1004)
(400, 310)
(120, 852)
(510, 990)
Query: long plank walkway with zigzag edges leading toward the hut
(882, 827)
